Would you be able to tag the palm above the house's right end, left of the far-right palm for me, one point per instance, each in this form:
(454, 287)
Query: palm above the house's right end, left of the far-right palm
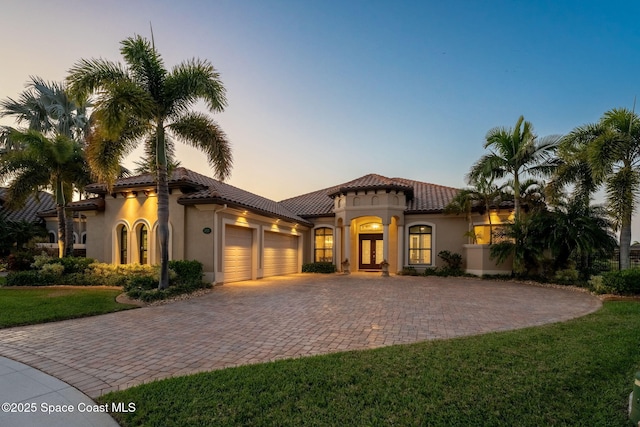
(516, 153)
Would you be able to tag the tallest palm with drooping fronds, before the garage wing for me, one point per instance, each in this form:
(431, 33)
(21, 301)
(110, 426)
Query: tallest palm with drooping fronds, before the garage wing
(142, 101)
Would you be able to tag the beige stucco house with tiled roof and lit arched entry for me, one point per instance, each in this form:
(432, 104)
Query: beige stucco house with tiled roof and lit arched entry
(238, 235)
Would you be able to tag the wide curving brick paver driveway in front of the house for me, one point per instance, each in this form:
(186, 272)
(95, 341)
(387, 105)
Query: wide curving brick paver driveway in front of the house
(277, 318)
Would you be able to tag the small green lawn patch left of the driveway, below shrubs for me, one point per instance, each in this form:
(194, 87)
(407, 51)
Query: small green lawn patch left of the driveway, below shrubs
(27, 306)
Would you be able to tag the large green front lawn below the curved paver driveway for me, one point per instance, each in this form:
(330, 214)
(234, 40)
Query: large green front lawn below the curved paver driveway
(577, 373)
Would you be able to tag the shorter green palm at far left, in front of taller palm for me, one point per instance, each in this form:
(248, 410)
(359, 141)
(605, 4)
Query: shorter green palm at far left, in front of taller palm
(55, 164)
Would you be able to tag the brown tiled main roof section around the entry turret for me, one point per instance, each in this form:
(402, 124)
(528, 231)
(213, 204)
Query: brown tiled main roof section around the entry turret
(422, 197)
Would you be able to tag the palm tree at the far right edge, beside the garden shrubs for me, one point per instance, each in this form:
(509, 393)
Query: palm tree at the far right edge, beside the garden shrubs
(611, 150)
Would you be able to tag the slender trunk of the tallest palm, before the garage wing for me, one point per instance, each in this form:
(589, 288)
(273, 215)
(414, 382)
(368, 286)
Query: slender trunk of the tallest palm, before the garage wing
(163, 207)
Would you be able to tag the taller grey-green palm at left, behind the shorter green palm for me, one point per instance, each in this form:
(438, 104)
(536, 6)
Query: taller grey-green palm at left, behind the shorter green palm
(47, 108)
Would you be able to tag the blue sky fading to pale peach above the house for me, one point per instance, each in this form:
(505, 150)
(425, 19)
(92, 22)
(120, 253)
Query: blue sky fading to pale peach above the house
(322, 92)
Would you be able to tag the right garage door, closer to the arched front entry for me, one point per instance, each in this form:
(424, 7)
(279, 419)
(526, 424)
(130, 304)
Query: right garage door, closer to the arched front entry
(280, 254)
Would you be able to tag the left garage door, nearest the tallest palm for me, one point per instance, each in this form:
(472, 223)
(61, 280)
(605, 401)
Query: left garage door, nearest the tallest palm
(237, 254)
